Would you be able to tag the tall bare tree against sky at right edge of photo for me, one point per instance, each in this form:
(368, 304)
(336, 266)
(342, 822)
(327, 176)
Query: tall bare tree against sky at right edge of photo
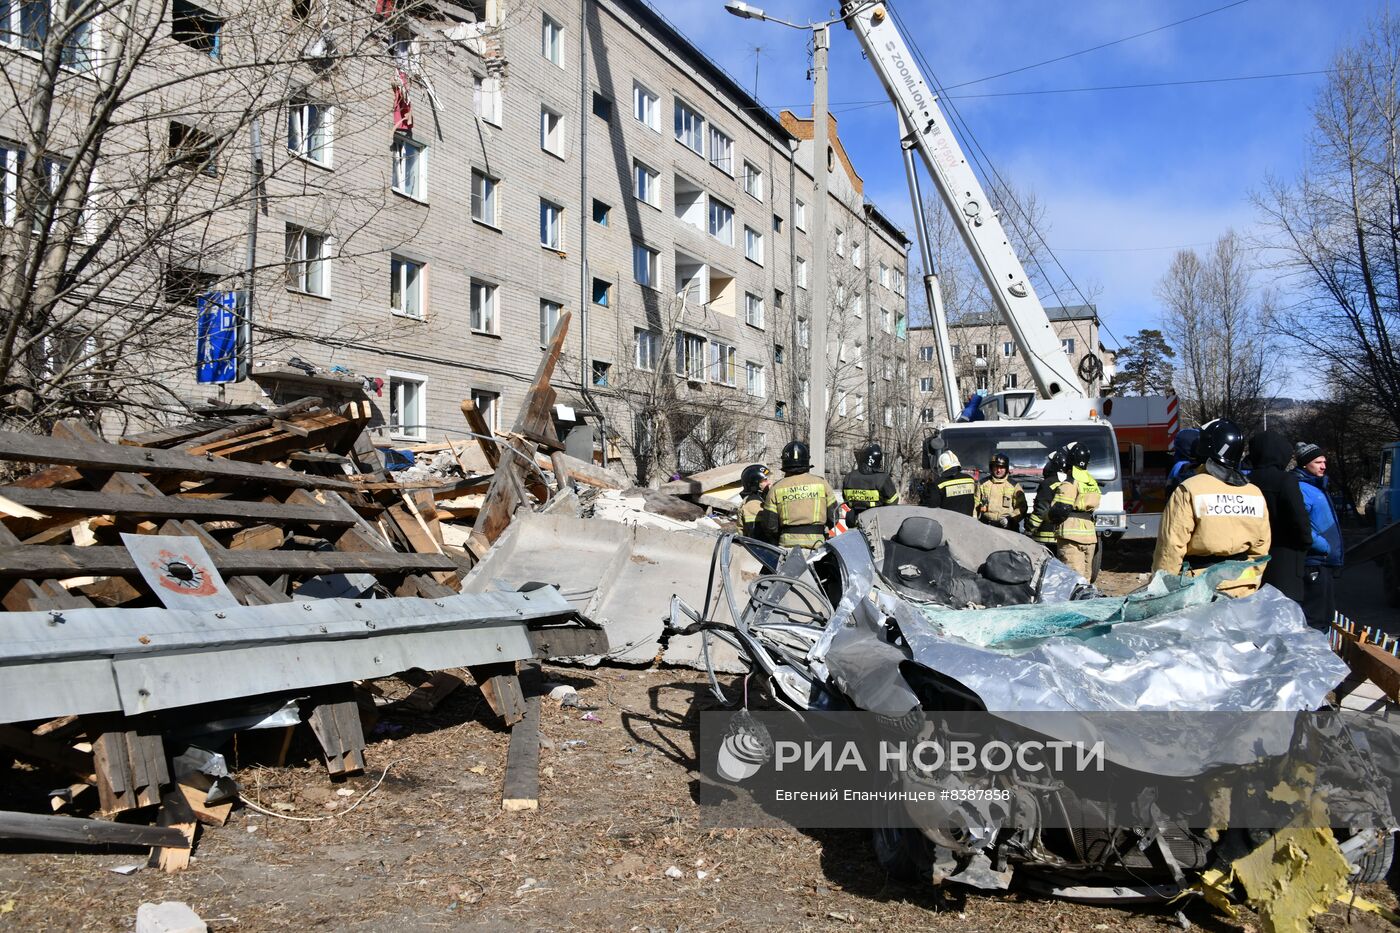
(1339, 225)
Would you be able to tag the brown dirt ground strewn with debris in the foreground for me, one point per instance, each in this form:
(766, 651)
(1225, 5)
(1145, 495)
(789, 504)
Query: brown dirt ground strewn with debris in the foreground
(432, 848)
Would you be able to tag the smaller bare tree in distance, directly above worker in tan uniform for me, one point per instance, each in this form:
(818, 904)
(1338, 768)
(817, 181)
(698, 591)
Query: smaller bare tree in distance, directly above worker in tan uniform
(1221, 326)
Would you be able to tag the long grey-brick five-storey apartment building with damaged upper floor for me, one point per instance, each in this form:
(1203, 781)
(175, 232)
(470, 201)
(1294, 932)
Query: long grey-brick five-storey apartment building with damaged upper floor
(407, 197)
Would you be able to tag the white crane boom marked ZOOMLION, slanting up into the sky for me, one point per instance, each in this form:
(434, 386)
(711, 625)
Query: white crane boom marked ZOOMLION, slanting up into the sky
(967, 201)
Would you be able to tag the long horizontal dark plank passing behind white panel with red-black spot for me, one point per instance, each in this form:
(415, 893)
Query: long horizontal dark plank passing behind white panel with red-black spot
(45, 562)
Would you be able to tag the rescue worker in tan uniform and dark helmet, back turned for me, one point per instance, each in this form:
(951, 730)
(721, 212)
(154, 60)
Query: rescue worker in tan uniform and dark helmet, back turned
(1216, 515)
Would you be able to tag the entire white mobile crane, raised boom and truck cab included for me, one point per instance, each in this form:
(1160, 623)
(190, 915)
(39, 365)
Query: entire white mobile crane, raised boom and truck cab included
(1023, 427)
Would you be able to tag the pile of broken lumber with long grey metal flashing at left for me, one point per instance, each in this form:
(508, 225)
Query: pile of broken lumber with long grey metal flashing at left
(244, 562)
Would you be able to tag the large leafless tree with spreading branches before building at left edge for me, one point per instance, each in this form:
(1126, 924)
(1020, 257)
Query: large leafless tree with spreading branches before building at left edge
(148, 144)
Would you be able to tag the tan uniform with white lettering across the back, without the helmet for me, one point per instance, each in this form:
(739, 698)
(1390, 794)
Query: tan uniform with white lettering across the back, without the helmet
(1209, 520)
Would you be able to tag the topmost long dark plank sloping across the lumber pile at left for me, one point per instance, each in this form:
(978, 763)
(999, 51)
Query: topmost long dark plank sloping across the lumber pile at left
(31, 449)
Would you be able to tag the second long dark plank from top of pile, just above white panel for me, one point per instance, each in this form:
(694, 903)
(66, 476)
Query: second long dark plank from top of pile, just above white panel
(139, 506)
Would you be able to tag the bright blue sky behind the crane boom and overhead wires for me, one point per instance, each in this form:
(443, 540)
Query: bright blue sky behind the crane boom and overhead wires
(1126, 176)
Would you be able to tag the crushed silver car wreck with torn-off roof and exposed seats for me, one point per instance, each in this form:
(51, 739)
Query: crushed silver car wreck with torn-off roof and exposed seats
(925, 617)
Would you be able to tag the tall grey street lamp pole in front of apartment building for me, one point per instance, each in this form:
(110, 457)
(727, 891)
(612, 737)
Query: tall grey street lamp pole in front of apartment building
(817, 392)
